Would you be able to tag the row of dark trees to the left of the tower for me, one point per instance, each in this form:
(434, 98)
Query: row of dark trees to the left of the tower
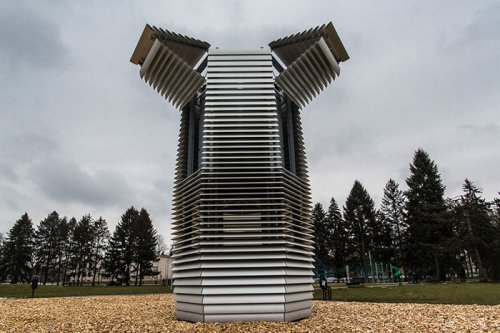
(64, 250)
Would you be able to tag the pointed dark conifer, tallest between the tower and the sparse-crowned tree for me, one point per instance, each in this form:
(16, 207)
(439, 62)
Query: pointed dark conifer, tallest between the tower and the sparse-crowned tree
(361, 223)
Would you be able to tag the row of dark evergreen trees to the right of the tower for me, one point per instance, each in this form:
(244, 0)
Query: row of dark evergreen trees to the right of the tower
(421, 231)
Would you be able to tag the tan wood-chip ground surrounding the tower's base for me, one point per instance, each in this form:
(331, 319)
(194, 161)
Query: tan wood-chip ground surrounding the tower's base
(156, 313)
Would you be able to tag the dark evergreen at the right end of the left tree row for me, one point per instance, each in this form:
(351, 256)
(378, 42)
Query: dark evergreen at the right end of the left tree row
(144, 246)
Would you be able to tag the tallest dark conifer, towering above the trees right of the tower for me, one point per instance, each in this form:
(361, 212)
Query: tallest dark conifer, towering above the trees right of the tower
(430, 236)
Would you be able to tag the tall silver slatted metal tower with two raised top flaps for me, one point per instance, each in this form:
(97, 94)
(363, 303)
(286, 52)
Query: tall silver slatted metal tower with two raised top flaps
(242, 231)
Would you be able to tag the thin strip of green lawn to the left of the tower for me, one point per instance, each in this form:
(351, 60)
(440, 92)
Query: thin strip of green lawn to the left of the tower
(24, 290)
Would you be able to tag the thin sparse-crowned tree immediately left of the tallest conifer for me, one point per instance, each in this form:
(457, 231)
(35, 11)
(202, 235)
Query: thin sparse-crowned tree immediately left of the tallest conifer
(392, 212)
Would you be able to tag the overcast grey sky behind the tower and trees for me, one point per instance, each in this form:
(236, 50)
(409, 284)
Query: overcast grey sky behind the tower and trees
(81, 133)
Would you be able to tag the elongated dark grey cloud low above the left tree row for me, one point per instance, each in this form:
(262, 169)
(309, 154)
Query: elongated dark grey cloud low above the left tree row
(65, 181)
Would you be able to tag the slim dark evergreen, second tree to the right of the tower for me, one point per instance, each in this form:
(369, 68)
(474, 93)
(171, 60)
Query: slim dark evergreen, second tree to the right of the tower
(336, 244)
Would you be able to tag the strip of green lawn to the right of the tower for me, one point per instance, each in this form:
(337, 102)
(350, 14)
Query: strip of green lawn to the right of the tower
(452, 293)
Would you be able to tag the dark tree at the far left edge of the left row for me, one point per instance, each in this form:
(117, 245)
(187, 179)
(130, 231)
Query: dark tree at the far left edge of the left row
(17, 259)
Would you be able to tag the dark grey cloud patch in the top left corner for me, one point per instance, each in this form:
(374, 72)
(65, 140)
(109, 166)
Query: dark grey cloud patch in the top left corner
(29, 39)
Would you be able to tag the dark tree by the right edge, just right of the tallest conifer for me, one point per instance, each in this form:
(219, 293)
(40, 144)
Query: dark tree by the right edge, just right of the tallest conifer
(476, 232)
